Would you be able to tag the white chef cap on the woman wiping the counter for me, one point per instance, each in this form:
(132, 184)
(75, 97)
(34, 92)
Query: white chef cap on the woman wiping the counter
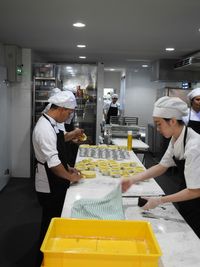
(170, 107)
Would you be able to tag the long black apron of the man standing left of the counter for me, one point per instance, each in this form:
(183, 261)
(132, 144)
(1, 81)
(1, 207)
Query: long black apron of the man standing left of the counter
(52, 203)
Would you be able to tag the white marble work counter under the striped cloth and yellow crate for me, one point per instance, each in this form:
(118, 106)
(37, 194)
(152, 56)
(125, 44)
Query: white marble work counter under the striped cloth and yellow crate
(179, 244)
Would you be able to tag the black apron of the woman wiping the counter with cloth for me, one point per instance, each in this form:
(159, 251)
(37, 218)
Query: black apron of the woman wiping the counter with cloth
(190, 209)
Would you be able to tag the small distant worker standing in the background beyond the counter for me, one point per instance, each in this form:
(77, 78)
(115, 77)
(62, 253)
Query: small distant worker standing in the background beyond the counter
(111, 108)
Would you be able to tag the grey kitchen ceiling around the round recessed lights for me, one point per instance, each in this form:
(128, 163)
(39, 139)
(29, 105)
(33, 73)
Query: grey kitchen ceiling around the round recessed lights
(125, 31)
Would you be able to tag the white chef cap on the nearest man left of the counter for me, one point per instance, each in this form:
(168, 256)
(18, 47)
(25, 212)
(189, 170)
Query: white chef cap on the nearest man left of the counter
(65, 99)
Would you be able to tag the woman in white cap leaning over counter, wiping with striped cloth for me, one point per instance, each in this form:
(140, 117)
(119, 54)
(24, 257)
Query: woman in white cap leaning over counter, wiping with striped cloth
(183, 151)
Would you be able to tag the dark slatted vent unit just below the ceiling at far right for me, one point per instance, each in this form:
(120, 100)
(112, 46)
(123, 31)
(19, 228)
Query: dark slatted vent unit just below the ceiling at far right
(191, 63)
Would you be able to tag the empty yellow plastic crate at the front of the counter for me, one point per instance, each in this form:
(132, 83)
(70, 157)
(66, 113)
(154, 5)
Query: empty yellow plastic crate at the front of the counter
(107, 243)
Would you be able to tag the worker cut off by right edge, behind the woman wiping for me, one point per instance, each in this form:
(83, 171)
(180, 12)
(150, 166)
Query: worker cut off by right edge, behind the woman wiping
(193, 118)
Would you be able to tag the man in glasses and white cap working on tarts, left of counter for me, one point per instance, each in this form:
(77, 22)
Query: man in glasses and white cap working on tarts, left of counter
(53, 174)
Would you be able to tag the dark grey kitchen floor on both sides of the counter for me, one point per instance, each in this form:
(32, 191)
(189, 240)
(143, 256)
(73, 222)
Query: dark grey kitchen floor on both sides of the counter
(20, 218)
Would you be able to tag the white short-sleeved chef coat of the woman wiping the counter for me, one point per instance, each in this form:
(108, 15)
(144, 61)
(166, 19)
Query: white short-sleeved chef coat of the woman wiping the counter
(191, 156)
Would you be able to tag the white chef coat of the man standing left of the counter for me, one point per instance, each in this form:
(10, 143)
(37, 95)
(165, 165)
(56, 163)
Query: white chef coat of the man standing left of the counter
(45, 148)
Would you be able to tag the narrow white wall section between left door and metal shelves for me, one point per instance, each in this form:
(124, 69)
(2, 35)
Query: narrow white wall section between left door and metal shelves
(21, 120)
